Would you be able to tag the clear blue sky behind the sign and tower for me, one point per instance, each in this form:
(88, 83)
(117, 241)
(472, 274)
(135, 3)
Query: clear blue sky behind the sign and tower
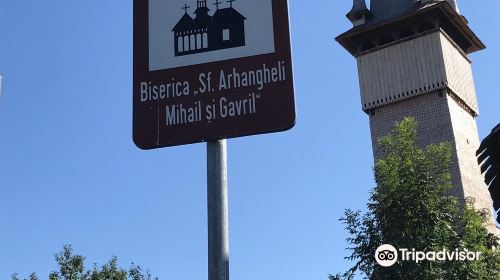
(70, 173)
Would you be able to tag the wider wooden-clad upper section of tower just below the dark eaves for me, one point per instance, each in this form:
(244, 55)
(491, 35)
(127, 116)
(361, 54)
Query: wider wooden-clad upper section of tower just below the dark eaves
(415, 67)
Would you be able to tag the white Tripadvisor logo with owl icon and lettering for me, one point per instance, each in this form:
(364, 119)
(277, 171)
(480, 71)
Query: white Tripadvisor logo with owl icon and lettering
(387, 255)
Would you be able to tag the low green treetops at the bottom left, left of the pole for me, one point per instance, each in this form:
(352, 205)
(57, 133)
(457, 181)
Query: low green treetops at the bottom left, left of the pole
(72, 267)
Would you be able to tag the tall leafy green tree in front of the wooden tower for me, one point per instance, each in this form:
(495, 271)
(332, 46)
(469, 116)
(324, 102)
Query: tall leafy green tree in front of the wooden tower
(411, 207)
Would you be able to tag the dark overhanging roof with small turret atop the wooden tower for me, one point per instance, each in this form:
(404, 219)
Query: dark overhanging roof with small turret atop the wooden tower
(396, 20)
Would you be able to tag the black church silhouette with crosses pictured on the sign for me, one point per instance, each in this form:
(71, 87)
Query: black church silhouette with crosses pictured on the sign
(223, 30)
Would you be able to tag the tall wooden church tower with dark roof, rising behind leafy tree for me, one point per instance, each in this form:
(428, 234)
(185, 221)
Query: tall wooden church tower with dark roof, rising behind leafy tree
(413, 60)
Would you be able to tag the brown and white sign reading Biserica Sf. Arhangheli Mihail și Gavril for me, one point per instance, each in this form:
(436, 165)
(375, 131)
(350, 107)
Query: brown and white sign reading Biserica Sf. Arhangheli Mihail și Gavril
(206, 70)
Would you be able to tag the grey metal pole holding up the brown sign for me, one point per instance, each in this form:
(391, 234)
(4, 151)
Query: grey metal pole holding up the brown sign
(218, 242)
